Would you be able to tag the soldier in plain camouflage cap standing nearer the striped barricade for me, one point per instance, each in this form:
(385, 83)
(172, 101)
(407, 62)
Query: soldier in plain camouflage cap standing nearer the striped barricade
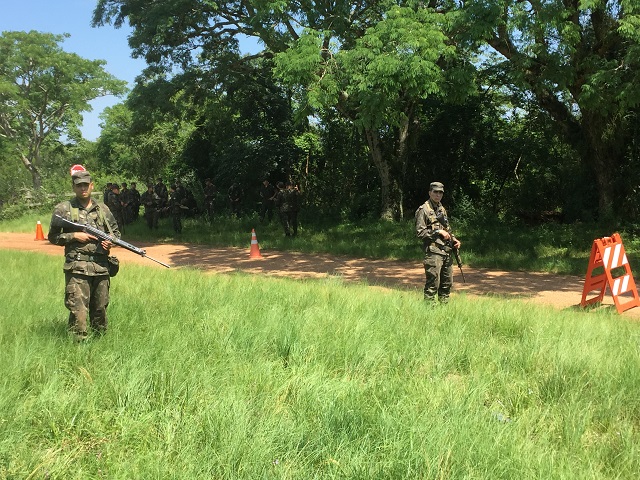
(432, 226)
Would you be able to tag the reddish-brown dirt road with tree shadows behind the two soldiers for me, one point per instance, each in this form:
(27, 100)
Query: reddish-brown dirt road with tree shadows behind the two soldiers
(560, 291)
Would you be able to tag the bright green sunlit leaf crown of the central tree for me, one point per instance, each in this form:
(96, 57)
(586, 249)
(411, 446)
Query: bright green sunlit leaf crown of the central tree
(396, 60)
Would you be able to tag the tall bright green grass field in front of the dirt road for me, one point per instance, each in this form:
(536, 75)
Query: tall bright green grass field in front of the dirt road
(245, 377)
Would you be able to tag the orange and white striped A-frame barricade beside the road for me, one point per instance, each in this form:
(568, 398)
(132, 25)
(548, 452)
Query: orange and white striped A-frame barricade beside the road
(609, 258)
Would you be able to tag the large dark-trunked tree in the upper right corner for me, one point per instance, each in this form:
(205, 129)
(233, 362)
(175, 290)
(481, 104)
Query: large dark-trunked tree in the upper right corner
(580, 61)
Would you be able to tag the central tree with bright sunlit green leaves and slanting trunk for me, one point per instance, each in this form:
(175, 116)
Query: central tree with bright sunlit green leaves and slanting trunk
(378, 81)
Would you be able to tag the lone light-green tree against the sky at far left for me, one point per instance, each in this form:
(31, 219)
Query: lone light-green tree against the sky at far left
(43, 91)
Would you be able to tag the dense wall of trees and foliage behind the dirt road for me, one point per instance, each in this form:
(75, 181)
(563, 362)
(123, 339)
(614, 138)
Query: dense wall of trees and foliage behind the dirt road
(527, 109)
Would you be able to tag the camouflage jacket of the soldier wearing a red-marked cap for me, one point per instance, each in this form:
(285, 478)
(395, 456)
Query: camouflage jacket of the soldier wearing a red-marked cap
(83, 258)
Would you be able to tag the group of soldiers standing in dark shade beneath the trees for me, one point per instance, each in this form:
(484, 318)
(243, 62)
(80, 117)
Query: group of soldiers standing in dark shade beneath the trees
(177, 202)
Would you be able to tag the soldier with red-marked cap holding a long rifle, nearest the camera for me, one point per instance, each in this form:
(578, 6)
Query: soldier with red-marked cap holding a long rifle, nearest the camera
(86, 271)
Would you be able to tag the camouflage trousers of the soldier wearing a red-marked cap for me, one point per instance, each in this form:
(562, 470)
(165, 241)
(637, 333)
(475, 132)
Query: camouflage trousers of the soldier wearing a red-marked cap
(86, 298)
